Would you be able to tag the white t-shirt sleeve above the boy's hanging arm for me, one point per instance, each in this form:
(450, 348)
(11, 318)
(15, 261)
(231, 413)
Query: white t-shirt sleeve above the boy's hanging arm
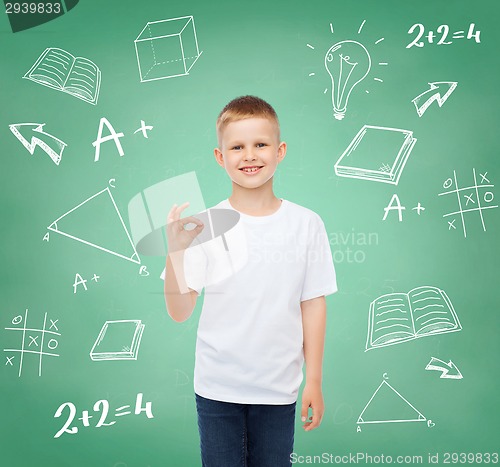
(319, 277)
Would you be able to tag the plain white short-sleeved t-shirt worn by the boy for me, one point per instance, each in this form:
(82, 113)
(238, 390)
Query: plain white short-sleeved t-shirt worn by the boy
(249, 345)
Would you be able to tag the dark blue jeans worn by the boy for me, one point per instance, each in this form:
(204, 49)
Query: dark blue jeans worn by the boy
(245, 435)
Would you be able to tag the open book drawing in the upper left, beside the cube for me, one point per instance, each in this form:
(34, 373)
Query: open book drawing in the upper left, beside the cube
(60, 70)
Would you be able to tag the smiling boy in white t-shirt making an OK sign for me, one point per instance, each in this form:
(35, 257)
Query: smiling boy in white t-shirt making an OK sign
(258, 325)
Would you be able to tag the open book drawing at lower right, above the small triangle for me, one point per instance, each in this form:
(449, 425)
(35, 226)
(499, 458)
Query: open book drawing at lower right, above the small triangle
(399, 317)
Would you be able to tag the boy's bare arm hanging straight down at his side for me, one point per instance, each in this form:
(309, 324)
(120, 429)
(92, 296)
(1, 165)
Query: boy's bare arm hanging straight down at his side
(314, 325)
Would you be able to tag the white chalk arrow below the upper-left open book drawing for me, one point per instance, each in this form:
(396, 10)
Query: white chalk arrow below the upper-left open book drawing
(26, 132)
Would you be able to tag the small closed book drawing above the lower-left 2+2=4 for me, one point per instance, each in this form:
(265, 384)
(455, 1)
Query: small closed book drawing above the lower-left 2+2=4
(118, 340)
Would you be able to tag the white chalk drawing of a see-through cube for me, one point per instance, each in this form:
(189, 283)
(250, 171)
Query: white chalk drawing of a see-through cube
(167, 48)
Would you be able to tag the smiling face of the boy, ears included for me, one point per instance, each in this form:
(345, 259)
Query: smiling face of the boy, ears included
(250, 151)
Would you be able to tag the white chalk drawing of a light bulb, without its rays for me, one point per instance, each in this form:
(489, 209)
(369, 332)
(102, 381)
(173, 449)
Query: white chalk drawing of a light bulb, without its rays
(348, 63)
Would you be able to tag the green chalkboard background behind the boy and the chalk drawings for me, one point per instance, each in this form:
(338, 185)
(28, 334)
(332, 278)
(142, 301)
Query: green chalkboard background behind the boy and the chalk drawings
(260, 48)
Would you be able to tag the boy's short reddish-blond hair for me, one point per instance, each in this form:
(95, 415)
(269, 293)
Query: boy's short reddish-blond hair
(246, 107)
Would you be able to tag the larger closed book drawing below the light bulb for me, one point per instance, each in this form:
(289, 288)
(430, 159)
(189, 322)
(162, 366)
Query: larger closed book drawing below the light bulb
(376, 153)
